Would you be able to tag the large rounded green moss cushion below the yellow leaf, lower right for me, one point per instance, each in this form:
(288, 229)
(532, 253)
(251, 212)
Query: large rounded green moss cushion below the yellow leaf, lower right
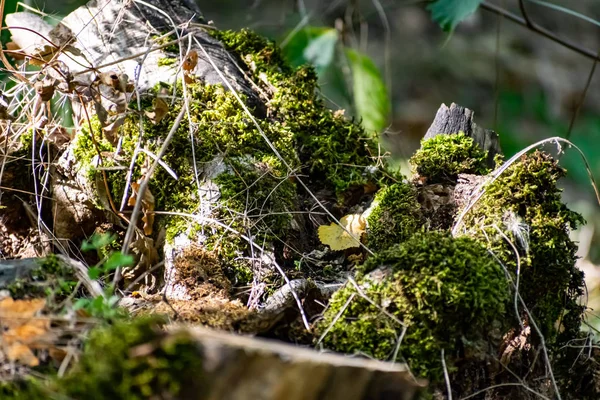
(445, 291)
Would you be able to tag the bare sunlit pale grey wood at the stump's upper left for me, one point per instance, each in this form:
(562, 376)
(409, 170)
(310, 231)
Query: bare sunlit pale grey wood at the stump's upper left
(120, 33)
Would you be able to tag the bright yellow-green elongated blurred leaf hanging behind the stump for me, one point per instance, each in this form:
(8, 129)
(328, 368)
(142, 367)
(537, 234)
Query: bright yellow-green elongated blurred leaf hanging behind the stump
(370, 95)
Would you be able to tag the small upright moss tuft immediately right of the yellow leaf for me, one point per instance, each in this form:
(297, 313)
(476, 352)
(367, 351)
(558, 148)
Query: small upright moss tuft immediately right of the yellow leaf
(395, 216)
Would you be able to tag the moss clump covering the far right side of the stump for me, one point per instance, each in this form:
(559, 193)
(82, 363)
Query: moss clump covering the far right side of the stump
(524, 205)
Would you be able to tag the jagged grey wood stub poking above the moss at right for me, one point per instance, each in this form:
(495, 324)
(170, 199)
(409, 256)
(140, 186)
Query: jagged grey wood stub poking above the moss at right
(456, 119)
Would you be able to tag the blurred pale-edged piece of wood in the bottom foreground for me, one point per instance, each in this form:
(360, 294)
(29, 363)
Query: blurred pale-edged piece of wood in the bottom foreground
(244, 368)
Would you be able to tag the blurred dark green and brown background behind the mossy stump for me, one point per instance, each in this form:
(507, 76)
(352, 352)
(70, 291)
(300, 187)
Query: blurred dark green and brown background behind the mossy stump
(523, 85)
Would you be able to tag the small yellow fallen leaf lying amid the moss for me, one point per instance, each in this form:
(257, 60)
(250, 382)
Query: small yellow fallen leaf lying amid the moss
(338, 238)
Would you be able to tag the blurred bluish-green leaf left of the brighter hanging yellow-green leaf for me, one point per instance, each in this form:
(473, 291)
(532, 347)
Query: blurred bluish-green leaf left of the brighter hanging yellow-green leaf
(312, 45)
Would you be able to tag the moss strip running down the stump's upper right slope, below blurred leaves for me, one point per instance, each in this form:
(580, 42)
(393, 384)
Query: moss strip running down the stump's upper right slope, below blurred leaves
(336, 152)
